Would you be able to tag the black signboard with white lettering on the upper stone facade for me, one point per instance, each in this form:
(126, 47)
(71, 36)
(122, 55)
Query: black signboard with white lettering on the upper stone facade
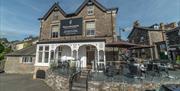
(70, 27)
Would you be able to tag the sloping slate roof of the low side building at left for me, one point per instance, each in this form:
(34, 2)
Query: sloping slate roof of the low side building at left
(29, 51)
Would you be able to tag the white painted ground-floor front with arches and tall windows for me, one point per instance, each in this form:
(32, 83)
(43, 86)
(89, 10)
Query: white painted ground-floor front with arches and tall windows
(85, 54)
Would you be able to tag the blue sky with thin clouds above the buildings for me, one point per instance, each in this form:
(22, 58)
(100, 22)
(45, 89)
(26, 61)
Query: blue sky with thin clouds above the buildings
(18, 18)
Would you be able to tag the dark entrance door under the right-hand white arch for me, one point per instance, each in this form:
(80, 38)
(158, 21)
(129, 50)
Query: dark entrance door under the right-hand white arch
(90, 53)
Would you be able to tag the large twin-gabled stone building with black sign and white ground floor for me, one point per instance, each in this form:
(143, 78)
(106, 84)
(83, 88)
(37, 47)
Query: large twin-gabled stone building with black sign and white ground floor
(81, 35)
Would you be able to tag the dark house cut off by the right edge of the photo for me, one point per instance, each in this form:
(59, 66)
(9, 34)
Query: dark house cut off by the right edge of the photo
(173, 42)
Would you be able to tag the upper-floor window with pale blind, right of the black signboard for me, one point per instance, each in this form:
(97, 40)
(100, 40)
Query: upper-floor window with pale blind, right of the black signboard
(90, 28)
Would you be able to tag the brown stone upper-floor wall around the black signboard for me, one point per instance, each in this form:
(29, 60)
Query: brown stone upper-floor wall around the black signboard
(105, 24)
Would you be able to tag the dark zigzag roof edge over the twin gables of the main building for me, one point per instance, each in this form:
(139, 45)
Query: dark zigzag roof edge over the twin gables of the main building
(56, 5)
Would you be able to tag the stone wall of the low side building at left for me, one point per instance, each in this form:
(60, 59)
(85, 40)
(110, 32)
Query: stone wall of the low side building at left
(15, 65)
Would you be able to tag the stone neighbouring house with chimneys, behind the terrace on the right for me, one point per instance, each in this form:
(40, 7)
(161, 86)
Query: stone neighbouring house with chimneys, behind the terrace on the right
(152, 39)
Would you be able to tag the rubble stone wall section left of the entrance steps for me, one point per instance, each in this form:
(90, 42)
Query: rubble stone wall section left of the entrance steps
(57, 82)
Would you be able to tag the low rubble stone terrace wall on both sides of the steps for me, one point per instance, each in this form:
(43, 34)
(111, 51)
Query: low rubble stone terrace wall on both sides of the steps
(61, 83)
